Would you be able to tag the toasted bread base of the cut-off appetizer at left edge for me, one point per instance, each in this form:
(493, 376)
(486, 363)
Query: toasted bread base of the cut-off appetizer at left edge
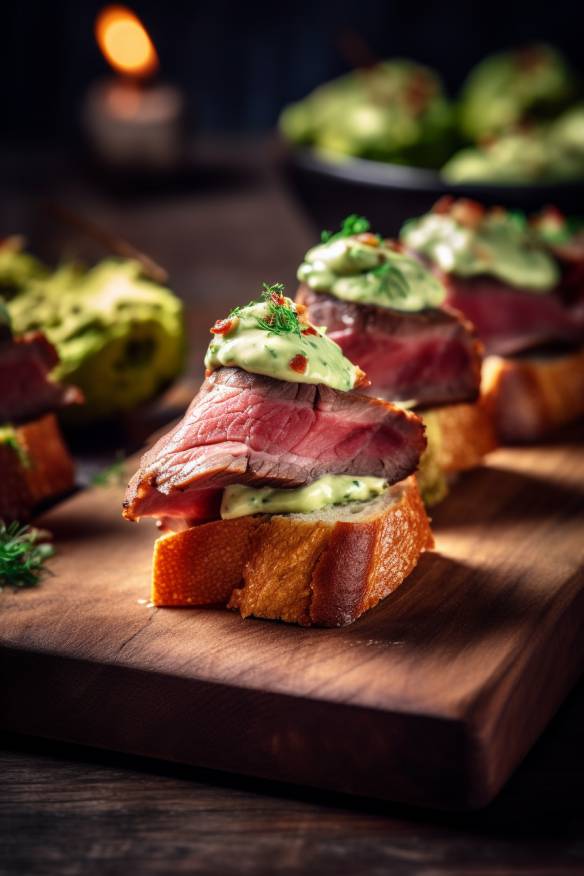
(34, 466)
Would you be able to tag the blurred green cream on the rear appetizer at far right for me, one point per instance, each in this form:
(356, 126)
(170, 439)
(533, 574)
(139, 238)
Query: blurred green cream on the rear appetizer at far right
(500, 246)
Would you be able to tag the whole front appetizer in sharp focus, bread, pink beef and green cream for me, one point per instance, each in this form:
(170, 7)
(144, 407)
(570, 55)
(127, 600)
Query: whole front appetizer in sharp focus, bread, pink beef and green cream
(288, 495)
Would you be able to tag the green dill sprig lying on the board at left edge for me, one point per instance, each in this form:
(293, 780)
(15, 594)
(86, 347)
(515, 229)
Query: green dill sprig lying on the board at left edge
(22, 555)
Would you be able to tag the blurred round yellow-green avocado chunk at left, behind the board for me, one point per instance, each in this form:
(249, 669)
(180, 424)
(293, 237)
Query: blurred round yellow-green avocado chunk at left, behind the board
(120, 337)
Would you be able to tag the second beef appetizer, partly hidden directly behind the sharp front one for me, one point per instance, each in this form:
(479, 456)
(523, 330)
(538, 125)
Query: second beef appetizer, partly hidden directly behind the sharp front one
(385, 310)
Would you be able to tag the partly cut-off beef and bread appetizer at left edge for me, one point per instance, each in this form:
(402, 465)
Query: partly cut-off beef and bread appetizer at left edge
(34, 462)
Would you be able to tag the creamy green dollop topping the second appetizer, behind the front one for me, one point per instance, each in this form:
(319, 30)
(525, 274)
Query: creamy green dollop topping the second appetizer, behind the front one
(370, 273)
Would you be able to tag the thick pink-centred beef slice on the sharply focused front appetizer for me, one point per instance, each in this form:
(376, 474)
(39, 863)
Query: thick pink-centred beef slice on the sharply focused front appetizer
(245, 428)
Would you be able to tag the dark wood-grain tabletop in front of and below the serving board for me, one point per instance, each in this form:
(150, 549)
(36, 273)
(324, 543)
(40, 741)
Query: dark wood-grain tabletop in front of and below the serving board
(78, 811)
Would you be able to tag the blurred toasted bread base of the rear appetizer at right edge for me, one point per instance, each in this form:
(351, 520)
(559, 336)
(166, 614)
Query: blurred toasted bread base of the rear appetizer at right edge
(529, 396)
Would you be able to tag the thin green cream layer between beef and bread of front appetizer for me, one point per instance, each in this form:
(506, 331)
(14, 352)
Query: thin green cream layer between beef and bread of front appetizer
(240, 501)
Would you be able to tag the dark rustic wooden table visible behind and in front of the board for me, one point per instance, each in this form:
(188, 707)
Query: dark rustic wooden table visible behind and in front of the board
(66, 810)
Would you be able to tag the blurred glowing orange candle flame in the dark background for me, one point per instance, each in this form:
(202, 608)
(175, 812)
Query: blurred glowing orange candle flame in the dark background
(125, 42)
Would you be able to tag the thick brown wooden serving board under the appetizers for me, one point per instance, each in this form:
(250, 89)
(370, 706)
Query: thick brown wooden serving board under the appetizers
(432, 698)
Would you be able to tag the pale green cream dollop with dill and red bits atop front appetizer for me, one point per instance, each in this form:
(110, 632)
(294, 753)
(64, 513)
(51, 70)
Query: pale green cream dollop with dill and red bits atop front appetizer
(270, 337)
